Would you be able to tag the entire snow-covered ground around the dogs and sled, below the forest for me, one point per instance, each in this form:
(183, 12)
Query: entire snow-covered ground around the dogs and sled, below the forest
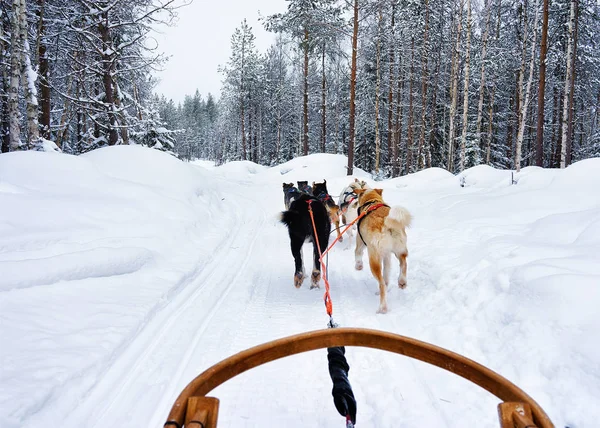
(124, 273)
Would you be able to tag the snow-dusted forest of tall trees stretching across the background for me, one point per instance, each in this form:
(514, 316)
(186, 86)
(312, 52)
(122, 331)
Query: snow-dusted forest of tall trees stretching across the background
(396, 85)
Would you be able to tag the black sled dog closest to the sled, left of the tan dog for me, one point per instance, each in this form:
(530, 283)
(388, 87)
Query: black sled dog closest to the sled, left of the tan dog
(300, 227)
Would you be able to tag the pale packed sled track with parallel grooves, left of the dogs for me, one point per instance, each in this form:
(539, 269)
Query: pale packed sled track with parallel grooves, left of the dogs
(162, 340)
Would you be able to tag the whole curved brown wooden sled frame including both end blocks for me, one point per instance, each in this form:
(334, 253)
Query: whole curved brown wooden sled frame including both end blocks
(193, 409)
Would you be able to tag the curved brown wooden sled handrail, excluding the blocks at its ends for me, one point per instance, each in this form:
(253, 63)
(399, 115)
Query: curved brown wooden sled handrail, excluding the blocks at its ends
(447, 360)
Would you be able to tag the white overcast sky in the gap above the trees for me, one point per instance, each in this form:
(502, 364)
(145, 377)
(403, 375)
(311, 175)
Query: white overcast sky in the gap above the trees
(200, 42)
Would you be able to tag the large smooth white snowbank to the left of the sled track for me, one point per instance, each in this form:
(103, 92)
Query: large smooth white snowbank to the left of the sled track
(90, 246)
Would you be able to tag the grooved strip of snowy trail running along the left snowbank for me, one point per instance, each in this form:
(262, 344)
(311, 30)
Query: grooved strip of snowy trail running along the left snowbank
(164, 349)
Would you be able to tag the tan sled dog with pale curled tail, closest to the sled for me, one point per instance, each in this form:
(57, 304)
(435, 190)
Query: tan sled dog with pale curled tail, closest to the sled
(383, 231)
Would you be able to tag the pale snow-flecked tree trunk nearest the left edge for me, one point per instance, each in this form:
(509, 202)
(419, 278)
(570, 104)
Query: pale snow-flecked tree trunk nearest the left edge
(15, 77)
